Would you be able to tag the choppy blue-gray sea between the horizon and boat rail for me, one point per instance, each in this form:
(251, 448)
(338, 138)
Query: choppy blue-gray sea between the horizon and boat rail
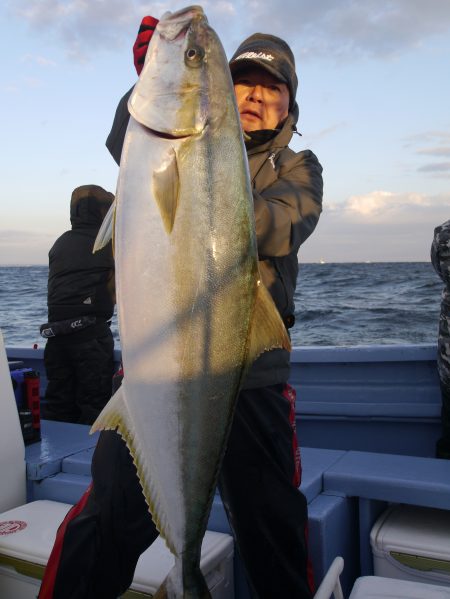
(336, 304)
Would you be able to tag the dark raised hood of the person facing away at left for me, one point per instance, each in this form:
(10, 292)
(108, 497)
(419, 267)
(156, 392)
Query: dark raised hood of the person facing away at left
(89, 205)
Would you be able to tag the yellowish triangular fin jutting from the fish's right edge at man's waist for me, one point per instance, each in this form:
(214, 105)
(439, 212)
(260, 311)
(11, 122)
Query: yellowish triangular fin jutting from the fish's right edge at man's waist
(267, 330)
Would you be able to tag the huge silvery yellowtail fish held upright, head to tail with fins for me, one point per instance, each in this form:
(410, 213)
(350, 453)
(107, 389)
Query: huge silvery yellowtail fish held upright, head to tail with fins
(192, 312)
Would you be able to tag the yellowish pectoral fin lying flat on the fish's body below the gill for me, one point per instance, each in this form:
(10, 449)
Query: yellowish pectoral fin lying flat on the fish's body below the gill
(166, 187)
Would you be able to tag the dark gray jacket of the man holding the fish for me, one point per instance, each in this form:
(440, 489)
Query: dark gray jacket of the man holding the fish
(287, 192)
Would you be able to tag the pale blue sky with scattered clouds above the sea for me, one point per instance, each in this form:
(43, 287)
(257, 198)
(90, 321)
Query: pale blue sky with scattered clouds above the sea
(374, 97)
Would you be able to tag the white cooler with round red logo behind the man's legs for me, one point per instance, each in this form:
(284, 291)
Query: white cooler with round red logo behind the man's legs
(27, 534)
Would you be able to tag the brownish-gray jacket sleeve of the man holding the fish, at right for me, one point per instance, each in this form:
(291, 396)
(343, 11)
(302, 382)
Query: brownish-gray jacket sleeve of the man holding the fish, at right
(287, 212)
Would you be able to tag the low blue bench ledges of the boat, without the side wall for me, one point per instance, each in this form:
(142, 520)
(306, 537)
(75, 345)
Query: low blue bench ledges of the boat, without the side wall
(346, 490)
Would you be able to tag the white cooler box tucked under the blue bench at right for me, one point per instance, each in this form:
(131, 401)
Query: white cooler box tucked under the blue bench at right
(412, 543)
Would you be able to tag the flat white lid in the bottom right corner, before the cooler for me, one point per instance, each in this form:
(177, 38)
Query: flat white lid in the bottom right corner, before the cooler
(377, 587)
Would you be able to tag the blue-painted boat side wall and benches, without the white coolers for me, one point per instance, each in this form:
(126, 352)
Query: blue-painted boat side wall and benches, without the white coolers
(367, 422)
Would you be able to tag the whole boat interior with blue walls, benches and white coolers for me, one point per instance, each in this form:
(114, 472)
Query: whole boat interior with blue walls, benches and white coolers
(367, 418)
